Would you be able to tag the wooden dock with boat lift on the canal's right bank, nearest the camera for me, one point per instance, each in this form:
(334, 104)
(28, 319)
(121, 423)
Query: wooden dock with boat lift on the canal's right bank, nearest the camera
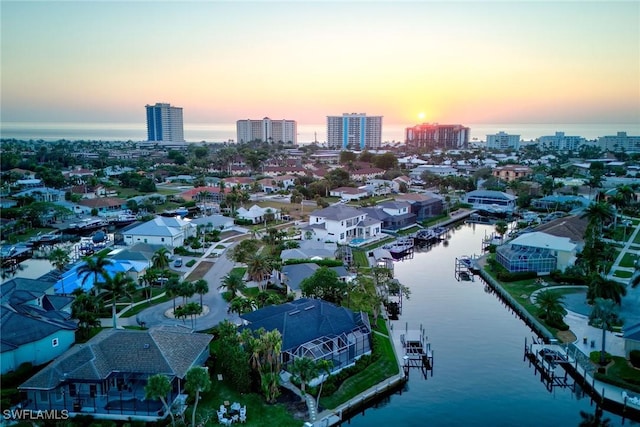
(551, 360)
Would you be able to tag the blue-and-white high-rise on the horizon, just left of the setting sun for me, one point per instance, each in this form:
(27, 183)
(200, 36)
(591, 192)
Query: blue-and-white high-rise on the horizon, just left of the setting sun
(354, 131)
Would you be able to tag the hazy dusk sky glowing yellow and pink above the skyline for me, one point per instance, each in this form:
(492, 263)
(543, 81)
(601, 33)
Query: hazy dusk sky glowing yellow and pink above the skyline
(462, 62)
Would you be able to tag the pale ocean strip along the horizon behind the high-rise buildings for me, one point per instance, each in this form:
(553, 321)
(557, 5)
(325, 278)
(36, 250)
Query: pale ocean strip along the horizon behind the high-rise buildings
(307, 133)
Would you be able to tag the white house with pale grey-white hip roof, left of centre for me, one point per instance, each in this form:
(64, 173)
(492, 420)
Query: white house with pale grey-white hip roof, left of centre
(171, 232)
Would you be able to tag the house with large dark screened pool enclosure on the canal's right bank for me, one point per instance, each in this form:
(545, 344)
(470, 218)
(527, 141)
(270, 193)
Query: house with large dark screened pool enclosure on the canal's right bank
(537, 251)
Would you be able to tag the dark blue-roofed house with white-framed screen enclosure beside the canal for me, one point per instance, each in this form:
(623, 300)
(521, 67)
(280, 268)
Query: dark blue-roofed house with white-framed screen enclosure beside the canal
(317, 330)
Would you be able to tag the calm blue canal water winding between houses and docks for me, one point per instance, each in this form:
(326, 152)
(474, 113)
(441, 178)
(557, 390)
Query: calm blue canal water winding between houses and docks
(479, 377)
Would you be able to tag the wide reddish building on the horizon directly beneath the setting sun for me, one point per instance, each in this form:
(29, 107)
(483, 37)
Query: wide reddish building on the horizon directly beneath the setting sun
(435, 136)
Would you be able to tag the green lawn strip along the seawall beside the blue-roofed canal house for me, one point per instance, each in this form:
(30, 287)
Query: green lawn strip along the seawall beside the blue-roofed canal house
(383, 368)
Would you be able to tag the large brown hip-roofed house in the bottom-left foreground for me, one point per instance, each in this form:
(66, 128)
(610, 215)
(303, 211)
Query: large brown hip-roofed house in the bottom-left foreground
(106, 376)
